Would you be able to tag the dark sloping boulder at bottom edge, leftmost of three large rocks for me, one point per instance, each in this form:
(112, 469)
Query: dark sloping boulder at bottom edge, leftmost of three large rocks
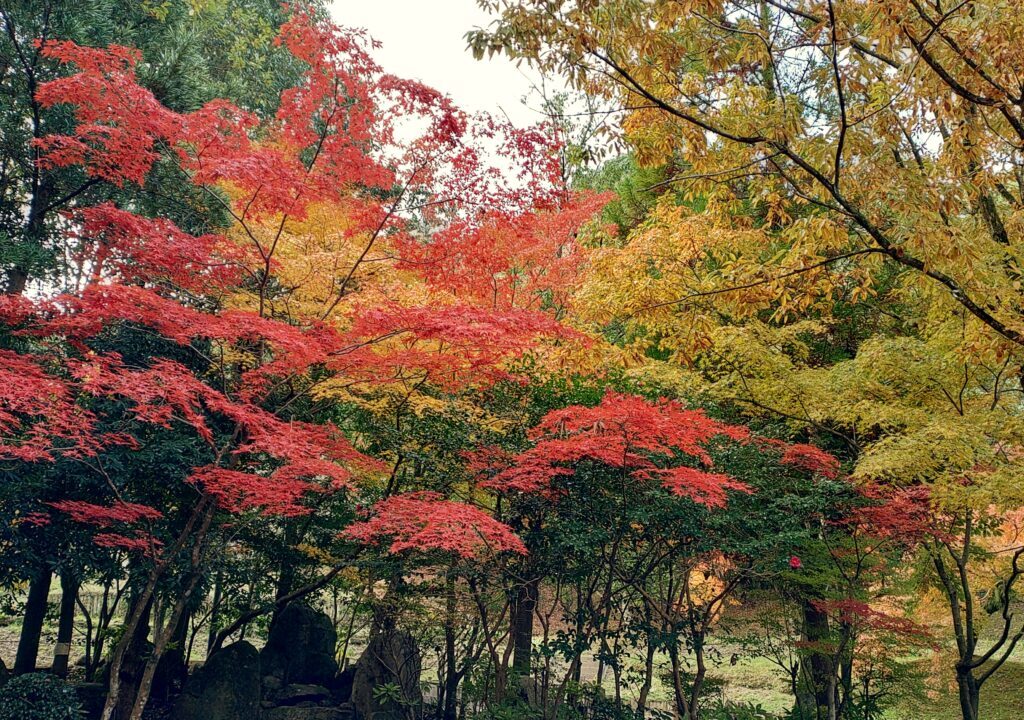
(227, 688)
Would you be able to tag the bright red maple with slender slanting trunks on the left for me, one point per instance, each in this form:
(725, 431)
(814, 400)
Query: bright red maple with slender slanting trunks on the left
(333, 141)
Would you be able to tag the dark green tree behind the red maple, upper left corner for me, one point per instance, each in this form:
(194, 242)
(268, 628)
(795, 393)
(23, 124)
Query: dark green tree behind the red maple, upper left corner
(194, 51)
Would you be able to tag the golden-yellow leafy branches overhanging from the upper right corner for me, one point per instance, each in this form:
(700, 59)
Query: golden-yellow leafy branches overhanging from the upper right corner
(860, 131)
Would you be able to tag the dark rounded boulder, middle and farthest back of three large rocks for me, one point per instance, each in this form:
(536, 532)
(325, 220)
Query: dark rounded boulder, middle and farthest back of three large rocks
(301, 648)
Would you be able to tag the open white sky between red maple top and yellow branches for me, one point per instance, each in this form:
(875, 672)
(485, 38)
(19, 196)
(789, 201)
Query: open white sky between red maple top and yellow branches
(423, 40)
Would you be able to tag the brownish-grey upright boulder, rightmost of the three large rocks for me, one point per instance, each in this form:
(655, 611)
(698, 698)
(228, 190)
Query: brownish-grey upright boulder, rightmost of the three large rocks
(391, 659)
